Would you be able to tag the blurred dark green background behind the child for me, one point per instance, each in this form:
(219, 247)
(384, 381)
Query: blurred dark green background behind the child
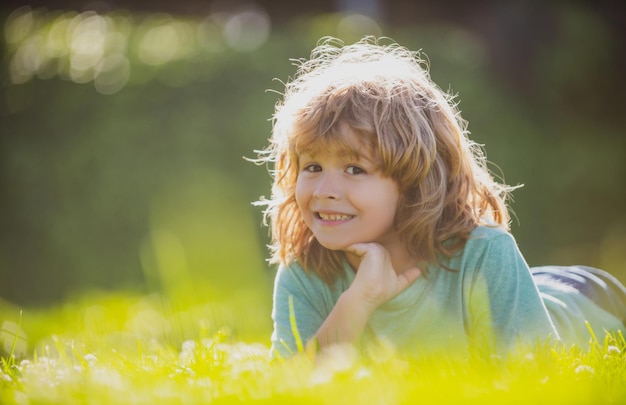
(124, 130)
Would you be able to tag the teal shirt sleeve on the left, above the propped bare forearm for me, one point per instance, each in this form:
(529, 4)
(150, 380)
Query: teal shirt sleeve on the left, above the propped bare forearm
(299, 309)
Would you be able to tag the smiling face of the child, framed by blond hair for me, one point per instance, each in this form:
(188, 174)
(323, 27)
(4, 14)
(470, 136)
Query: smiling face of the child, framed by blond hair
(345, 199)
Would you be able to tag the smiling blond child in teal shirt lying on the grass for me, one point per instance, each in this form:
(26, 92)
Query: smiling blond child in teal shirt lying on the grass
(388, 228)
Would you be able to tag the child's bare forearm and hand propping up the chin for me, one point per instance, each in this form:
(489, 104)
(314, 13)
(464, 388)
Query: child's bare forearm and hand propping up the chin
(375, 283)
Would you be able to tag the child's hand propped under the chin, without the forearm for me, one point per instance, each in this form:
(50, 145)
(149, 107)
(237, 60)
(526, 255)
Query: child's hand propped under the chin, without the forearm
(376, 280)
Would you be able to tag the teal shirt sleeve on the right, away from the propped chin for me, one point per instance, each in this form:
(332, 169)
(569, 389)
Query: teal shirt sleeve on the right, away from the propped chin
(513, 312)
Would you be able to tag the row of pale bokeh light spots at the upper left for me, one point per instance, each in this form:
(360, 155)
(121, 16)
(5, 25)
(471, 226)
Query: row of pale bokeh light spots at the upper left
(104, 49)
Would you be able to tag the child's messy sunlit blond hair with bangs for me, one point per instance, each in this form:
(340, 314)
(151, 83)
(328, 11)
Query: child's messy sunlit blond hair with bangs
(384, 94)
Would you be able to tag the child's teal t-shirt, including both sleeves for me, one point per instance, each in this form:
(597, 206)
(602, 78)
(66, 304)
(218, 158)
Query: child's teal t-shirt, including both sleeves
(489, 302)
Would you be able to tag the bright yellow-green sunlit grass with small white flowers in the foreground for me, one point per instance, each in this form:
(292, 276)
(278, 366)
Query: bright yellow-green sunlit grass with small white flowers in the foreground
(98, 351)
